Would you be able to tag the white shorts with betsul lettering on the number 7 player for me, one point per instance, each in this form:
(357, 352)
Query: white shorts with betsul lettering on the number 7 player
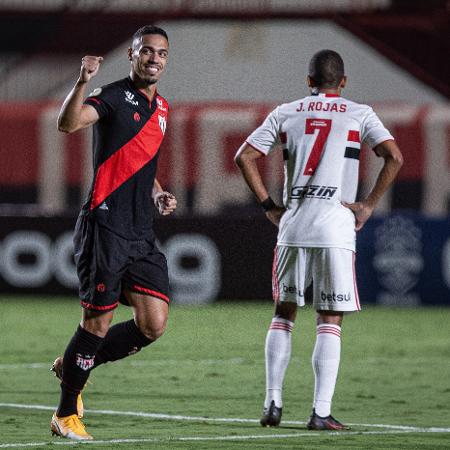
(331, 270)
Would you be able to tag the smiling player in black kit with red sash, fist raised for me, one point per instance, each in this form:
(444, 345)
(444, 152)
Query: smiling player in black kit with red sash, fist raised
(115, 252)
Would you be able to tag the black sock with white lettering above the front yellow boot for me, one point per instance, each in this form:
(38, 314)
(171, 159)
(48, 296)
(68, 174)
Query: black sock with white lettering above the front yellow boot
(78, 361)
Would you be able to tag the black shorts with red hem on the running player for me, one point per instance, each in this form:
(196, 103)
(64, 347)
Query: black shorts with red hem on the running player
(107, 264)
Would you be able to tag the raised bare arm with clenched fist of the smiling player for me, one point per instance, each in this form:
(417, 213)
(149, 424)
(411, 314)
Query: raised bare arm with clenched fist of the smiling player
(74, 115)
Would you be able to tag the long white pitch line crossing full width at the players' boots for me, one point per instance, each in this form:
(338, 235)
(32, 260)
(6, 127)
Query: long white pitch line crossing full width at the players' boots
(400, 428)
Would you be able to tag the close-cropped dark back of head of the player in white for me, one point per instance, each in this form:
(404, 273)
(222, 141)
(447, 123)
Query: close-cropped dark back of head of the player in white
(326, 69)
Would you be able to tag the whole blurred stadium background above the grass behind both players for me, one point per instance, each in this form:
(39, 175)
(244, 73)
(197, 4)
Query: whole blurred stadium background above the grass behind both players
(231, 62)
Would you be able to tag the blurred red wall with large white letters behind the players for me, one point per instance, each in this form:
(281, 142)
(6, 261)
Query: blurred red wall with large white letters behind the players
(53, 170)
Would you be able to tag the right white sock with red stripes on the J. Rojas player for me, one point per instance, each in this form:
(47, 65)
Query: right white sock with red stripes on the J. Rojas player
(325, 362)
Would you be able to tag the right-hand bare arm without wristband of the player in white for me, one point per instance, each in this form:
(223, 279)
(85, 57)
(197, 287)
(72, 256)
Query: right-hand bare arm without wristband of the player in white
(393, 161)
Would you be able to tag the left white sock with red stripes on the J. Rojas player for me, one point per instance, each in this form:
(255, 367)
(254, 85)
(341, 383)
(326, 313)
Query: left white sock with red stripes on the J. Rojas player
(278, 354)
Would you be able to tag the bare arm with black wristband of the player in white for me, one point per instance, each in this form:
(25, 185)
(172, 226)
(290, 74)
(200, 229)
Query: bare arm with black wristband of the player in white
(245, 159)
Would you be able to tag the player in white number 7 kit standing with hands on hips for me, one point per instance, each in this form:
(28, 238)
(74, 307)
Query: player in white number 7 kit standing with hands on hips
(320, 136)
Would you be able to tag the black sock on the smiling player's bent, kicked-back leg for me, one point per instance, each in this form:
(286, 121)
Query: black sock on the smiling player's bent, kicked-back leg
(123, 339)
